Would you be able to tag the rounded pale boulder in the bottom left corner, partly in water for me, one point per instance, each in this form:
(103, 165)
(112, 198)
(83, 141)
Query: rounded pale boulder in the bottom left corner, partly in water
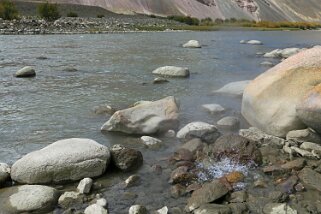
(28, 198)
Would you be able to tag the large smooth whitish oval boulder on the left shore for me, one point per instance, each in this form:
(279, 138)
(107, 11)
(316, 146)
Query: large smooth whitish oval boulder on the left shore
(65, 160)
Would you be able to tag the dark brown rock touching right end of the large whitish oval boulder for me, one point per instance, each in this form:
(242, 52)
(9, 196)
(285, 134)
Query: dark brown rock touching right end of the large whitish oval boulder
(126, 159)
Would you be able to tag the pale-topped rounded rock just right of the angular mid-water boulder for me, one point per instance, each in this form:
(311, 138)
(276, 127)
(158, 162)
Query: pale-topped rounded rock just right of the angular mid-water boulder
(204, 131)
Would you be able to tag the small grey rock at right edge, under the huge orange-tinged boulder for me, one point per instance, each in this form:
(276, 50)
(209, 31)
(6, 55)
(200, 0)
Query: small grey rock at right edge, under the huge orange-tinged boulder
(304, 135)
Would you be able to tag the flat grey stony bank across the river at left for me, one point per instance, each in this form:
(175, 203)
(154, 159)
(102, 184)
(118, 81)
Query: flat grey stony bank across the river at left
(71, 25)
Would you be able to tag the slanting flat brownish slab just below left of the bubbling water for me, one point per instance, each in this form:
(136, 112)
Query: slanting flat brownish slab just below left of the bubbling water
(209, 192)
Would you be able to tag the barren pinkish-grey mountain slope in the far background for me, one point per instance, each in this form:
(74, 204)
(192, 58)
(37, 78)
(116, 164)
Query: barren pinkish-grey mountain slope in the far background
(276, 10)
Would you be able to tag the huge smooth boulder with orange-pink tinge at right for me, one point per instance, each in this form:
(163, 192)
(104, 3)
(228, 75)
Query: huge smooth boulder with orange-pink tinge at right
(270, 101)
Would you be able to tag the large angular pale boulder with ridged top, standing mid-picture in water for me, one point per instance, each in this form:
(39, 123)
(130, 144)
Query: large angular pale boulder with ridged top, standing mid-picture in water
(150, 118)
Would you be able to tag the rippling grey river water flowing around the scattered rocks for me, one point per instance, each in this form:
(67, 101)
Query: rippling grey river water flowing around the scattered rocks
(111, 70)
